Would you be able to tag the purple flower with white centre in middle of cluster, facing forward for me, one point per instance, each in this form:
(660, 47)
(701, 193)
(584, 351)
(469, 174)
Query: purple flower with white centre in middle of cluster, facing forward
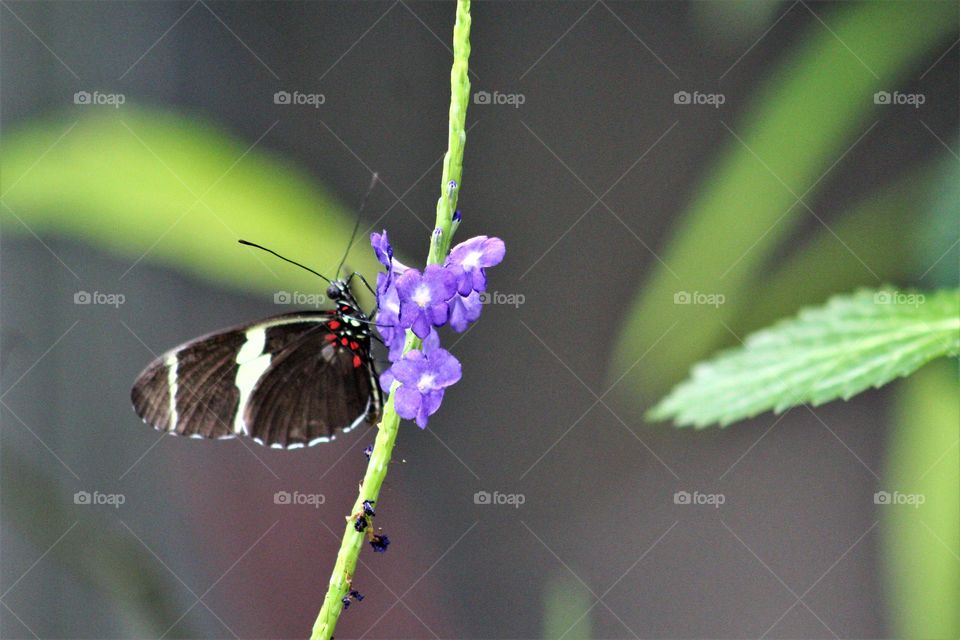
(424, 297)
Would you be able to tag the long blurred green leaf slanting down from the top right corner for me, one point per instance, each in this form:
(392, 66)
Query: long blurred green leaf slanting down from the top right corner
(815, 105)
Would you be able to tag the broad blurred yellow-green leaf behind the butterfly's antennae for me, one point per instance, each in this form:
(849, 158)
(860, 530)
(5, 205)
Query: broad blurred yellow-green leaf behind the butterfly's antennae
(165, 188)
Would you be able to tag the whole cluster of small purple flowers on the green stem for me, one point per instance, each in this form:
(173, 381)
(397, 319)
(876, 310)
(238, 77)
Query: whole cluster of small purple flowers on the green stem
(421, 301)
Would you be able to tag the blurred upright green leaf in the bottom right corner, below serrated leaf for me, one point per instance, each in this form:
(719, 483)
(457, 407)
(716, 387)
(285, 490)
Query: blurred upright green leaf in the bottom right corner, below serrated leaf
(921, 544)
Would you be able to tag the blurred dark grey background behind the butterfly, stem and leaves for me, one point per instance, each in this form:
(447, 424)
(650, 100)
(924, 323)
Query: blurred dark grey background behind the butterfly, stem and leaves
(599, 519)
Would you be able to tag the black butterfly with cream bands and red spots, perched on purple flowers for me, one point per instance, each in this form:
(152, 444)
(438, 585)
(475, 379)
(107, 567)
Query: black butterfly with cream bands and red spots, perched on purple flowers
(287, 381)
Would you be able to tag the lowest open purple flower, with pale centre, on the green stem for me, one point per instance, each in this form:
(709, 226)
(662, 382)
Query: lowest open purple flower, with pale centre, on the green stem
(423, 376)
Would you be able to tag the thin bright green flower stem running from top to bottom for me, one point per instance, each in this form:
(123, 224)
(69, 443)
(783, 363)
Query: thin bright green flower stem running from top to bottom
(342, 576)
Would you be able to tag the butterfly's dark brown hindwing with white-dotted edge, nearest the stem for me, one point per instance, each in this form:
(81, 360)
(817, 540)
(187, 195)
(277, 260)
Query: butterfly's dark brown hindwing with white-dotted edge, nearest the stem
(319, 384)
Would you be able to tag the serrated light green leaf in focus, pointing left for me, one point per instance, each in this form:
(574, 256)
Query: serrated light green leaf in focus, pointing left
(836, 351)
